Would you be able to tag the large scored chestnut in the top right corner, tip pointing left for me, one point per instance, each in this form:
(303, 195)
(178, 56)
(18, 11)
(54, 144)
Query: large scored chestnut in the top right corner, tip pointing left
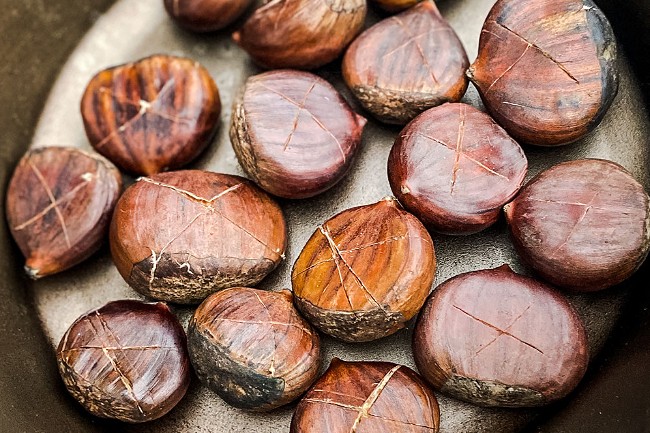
(546, 70)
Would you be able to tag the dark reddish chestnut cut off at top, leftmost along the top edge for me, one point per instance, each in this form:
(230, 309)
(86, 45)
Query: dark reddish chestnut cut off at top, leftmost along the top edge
(205, 15)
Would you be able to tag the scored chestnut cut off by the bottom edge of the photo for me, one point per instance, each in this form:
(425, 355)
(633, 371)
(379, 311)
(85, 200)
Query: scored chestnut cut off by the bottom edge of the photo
(364, 397)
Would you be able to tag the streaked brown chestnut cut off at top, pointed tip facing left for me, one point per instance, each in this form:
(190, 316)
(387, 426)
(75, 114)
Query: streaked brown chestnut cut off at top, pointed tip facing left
(302, 34)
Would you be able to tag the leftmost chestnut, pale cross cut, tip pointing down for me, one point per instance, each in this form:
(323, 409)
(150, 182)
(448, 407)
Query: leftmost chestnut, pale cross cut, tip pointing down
(59, 205)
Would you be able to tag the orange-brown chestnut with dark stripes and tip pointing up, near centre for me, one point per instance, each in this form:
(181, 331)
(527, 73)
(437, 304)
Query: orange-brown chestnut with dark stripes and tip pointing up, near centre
(365, 272)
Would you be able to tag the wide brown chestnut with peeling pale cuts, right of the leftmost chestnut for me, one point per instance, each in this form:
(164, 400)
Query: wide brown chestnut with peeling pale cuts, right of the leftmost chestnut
(180, 236)
